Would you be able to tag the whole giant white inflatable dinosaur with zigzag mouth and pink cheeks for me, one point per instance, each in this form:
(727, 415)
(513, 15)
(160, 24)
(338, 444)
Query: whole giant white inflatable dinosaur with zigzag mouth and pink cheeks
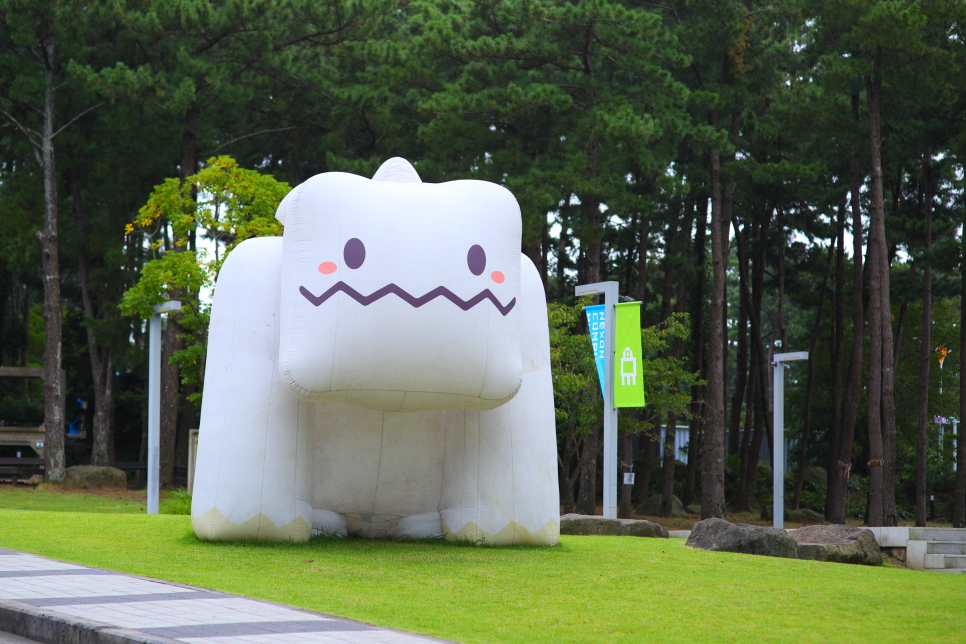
(382, 369)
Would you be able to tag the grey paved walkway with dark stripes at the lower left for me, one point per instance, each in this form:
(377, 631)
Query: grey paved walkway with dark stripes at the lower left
(48, 600)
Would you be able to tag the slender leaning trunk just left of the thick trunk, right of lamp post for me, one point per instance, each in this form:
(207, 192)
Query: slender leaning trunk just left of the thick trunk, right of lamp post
(835, 508)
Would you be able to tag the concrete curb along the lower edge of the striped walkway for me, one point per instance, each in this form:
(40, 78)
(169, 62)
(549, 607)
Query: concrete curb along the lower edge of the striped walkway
(50, 627)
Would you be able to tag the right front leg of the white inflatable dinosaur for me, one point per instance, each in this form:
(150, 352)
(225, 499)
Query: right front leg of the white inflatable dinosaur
(500, 470)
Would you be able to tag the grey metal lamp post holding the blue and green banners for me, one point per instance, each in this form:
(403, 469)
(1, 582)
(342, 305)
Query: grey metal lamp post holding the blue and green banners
(609, 291)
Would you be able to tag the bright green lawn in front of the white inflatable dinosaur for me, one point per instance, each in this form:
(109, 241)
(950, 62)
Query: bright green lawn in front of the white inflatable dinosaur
(589, 589)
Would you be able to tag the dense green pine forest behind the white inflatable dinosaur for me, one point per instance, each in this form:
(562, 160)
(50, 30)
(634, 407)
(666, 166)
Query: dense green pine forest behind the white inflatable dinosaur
(763, 176)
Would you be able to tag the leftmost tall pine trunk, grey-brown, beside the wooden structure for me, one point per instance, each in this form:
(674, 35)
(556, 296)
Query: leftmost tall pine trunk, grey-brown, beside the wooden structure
(54, 395)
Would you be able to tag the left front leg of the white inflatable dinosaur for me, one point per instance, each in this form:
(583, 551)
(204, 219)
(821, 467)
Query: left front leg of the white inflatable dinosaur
(254, 445)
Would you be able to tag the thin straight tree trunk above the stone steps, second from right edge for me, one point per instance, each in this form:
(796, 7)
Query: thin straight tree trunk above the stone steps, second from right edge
(925, 352)
